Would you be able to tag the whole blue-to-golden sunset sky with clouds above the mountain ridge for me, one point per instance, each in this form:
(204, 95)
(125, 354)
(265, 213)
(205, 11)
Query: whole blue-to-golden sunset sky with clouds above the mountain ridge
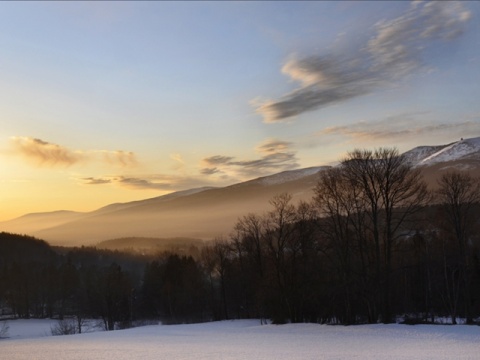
(106, 102)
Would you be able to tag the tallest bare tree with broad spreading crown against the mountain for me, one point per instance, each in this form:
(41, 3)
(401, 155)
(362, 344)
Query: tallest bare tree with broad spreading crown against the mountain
(392, 191)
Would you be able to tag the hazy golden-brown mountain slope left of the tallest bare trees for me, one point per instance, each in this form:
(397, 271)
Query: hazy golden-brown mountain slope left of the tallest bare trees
(203, 213)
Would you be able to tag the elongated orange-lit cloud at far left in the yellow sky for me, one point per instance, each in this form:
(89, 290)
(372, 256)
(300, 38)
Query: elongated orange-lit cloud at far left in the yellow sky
(44, 153)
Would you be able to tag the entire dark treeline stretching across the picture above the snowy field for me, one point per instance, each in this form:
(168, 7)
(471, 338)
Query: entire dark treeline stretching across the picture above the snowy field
(374, 244)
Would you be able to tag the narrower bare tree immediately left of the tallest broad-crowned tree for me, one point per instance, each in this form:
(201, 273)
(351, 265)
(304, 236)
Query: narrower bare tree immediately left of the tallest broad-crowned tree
(342, 226)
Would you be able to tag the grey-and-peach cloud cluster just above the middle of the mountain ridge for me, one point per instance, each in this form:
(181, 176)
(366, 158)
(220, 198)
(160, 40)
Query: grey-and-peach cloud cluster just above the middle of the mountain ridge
(275, 155)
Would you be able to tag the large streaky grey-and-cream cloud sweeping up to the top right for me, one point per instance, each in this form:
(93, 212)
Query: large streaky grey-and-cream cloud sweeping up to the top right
(393, 52)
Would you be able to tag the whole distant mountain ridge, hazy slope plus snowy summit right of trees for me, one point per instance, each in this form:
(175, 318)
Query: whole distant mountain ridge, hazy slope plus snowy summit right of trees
(206, 213)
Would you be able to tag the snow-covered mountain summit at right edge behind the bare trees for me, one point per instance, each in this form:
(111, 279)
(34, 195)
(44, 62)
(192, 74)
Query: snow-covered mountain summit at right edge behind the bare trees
(464, 149)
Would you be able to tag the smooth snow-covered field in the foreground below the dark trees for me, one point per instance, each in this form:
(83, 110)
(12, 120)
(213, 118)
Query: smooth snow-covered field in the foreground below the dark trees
(244, 339)
